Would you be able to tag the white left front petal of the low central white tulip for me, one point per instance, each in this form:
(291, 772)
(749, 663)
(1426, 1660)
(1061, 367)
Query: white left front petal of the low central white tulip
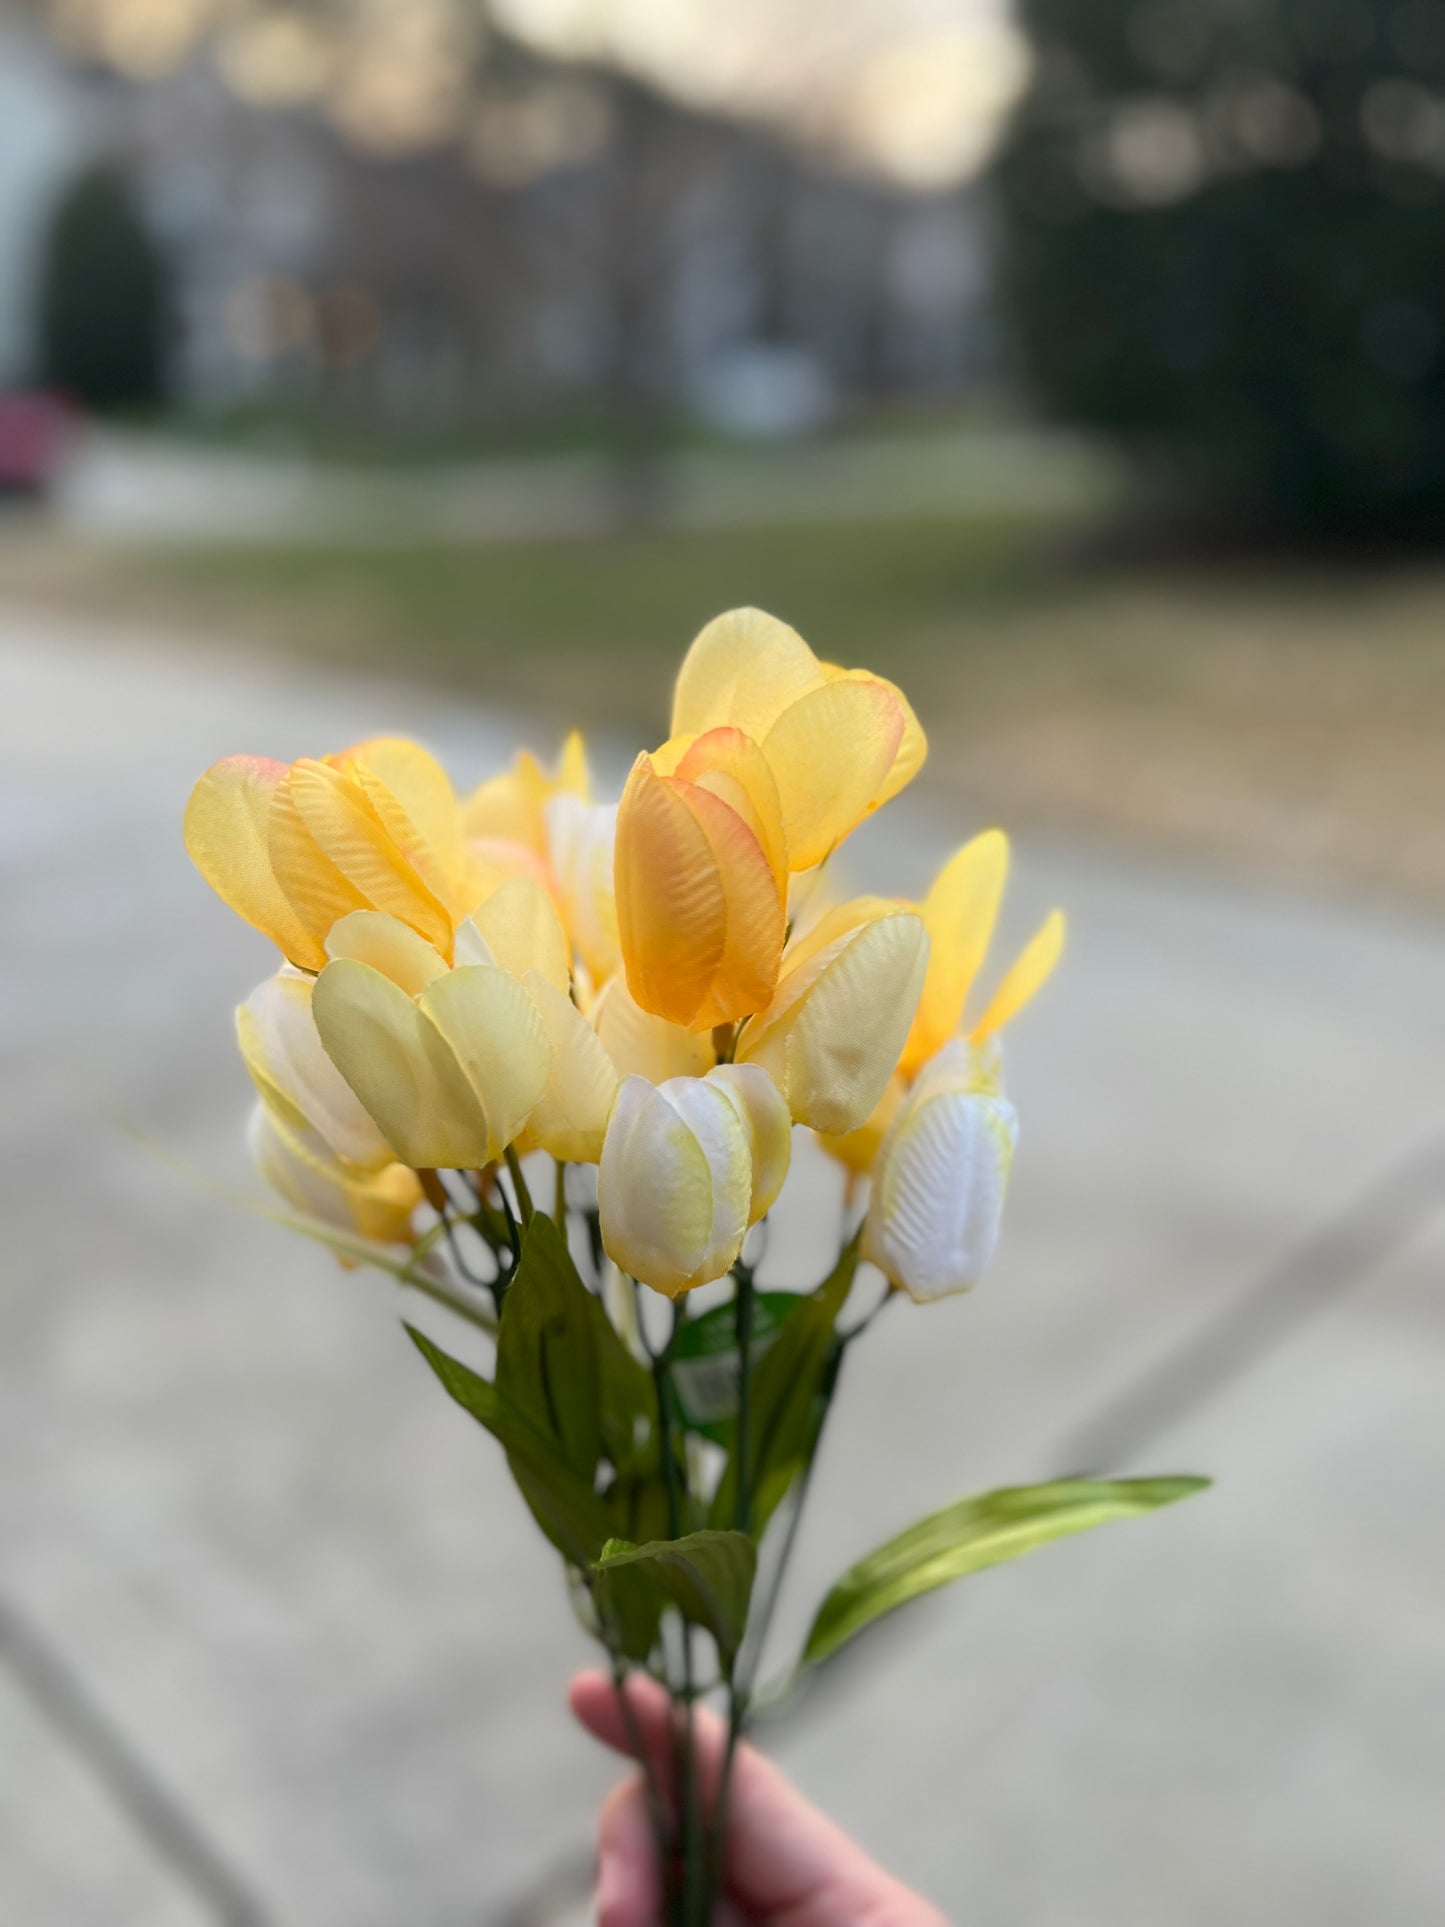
(654, 1192)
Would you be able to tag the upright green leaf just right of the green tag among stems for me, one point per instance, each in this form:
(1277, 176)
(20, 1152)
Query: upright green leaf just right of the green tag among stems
(783, 1408)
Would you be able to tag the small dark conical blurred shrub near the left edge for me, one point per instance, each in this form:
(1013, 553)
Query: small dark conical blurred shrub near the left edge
(103, 298)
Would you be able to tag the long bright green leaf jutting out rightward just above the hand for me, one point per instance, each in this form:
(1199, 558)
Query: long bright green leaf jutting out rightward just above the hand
(974, 1535)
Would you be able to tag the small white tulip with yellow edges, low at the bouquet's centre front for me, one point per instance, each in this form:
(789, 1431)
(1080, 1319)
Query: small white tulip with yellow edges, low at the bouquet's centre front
(687, 1167)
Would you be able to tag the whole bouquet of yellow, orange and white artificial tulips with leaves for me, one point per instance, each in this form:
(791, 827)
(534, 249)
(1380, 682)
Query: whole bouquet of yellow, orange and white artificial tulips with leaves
(542, 1059)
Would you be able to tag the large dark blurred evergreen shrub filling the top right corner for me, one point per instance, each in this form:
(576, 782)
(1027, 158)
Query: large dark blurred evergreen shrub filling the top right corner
(1224, 242)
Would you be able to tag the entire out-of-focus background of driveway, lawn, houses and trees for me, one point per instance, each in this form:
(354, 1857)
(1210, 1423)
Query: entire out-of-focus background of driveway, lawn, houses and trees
(444, 365)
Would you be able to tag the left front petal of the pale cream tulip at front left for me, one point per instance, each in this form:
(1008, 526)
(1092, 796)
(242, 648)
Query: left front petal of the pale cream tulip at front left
(402, 1069)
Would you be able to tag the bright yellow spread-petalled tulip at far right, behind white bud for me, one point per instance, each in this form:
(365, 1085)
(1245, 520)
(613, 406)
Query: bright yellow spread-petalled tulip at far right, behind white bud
(960, 914)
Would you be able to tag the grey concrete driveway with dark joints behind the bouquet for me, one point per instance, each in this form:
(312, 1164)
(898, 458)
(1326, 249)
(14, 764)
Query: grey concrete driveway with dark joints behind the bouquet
(280, 1643)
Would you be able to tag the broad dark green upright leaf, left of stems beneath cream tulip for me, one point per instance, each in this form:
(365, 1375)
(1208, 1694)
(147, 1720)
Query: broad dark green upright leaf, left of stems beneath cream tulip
(548, 1348)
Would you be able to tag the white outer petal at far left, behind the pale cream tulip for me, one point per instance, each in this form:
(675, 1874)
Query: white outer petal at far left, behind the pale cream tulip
(284, 1053)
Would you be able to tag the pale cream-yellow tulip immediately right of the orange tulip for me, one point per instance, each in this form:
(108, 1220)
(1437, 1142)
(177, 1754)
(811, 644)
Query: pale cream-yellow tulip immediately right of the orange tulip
(837, 1024)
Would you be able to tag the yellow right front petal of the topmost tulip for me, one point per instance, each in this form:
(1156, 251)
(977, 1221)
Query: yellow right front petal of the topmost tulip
(831, 754)
